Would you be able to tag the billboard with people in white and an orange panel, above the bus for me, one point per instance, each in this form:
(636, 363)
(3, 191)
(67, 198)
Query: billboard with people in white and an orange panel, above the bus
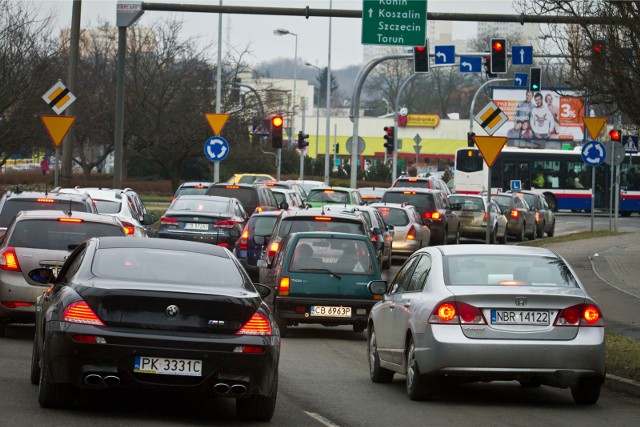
(543, 119)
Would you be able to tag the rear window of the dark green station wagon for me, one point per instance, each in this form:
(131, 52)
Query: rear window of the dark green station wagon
(332, 255)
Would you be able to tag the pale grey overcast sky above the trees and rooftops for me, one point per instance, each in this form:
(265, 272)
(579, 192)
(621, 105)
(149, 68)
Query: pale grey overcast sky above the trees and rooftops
(255, 32)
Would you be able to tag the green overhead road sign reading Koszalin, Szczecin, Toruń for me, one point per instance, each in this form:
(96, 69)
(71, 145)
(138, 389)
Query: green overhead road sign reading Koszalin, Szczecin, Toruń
(394, 22)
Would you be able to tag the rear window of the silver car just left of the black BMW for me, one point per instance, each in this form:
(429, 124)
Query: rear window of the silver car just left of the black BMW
(54, 234)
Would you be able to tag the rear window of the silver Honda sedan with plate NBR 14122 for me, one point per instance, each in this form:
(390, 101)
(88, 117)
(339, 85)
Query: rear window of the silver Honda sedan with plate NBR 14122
(507, 270)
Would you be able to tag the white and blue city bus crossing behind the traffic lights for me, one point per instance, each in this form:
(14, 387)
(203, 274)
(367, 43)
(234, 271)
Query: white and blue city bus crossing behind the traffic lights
(560, 175)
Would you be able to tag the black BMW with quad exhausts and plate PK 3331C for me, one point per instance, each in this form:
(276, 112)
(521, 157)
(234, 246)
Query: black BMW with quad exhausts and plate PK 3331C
(155, 314)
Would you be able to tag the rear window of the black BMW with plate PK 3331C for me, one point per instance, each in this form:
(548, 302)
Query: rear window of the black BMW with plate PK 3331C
(161, 265)
